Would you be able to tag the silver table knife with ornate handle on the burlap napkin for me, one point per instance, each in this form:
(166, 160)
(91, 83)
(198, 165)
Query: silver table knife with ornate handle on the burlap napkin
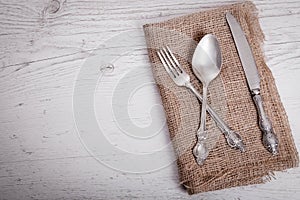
(269, 139)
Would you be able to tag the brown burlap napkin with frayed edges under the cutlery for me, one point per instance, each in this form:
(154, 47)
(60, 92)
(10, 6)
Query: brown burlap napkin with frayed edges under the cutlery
(230, 97)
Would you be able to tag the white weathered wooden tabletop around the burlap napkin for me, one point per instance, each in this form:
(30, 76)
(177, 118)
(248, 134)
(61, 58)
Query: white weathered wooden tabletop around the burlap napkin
(47, 150)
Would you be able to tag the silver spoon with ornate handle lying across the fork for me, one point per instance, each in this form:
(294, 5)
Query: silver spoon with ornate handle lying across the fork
(206, 64)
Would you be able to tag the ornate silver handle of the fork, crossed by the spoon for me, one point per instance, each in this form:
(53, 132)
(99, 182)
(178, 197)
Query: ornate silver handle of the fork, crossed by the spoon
(233, 138)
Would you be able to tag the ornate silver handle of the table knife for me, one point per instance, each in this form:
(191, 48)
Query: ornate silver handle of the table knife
(269, 139)
